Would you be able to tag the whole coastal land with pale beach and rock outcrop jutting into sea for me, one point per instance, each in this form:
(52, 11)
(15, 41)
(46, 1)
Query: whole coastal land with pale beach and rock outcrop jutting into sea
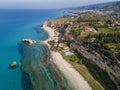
(76, 47)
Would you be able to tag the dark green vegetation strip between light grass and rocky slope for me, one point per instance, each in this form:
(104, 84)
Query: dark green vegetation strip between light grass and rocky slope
(101, 76)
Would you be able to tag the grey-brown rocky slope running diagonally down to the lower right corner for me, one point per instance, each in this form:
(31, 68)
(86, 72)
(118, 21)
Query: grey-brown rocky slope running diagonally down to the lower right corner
(103, 62)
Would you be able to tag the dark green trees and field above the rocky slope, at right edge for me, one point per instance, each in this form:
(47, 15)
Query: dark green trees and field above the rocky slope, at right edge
(108, 44)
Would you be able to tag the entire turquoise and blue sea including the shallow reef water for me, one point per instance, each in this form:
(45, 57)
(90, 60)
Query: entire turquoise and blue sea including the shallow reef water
(35, 70)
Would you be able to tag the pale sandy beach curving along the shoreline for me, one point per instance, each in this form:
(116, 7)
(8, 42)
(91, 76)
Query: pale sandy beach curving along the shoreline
(73, 76)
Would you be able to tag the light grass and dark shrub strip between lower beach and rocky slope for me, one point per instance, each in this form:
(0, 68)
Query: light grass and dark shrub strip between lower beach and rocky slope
(96, 77)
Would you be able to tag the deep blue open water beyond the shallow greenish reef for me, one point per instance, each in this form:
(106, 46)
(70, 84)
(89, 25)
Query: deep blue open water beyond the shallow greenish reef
(14, 26)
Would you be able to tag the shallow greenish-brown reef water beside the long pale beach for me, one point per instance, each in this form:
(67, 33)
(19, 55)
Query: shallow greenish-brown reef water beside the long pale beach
(41, 71)
